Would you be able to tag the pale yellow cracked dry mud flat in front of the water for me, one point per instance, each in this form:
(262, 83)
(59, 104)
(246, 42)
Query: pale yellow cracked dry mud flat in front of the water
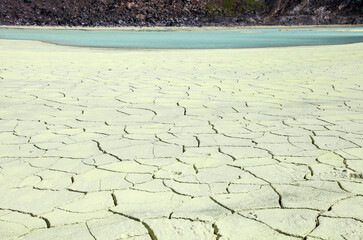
(194, 144)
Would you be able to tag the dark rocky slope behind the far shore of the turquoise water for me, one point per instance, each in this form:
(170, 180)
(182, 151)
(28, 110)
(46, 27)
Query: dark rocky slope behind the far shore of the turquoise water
(179, 12)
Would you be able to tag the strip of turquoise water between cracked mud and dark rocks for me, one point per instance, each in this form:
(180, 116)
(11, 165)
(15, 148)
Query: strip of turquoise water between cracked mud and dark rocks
(244, 38)
